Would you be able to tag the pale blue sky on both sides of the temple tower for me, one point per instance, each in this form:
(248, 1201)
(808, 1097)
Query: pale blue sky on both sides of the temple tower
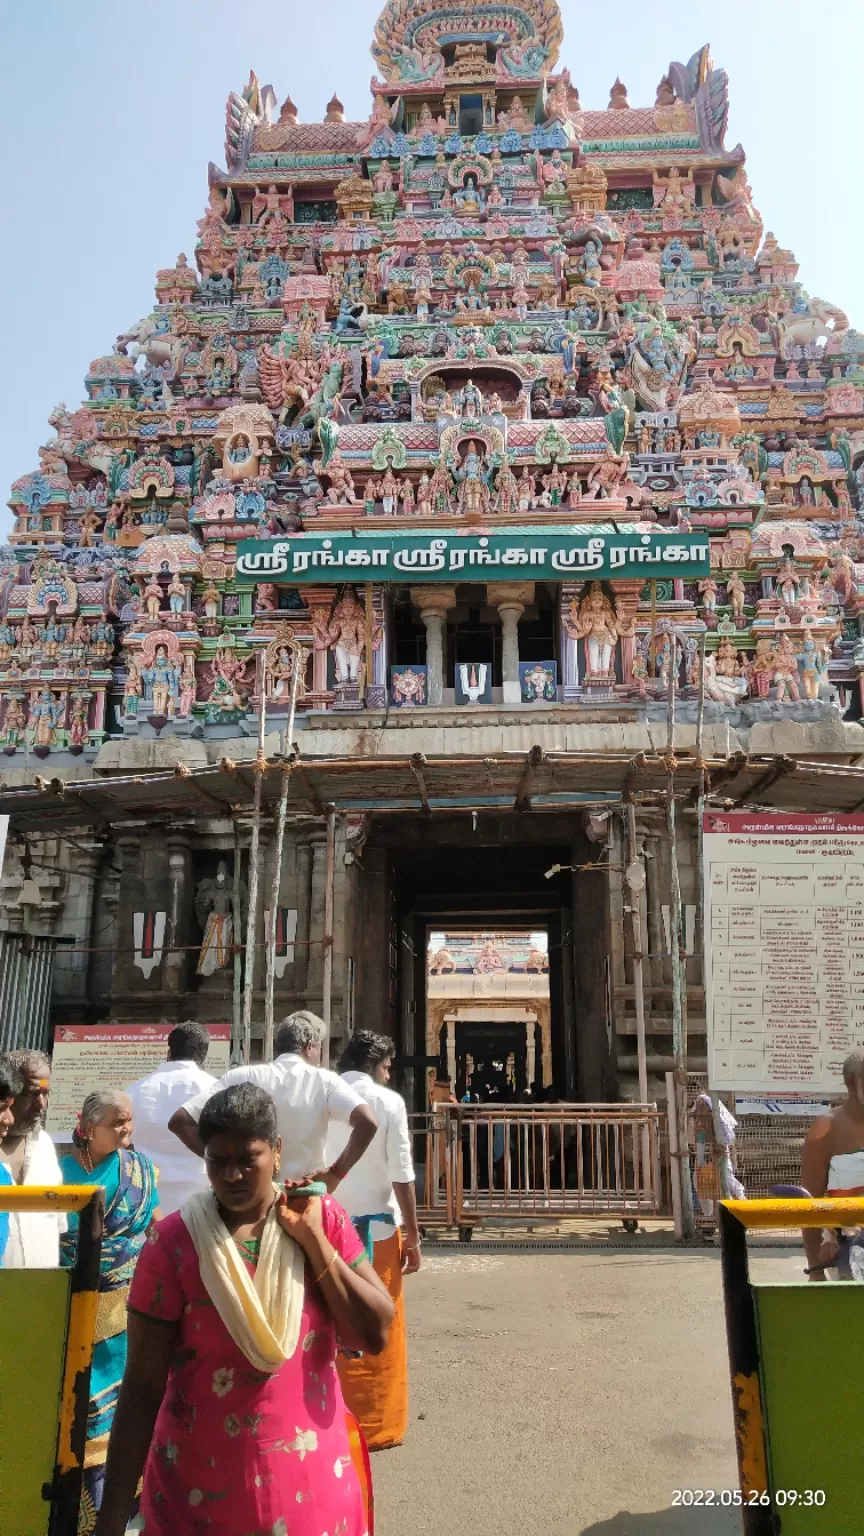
(113, 113)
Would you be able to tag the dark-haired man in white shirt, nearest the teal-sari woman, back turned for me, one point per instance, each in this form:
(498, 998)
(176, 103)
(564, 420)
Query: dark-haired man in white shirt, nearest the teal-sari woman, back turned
(181, 1174)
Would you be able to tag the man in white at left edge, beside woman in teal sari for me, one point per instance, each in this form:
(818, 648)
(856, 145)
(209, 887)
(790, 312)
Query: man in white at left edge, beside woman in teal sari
(32, 1159)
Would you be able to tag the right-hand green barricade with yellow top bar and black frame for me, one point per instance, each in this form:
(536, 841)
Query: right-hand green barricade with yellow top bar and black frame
(797, 1365)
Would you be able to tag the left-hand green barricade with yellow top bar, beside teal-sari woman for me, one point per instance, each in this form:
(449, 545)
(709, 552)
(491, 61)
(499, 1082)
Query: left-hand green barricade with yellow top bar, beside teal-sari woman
(47, 1340)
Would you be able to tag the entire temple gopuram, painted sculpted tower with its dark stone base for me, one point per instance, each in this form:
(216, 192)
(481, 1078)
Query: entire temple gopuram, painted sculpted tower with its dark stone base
(473, 437)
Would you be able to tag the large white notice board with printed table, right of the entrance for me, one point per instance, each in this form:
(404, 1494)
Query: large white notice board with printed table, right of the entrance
(785, 950)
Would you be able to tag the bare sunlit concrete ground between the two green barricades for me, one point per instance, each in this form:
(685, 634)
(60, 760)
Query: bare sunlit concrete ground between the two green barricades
(565, 1395)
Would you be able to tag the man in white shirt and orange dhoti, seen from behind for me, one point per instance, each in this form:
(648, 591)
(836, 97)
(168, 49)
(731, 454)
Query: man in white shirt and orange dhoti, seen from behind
(380, 1199)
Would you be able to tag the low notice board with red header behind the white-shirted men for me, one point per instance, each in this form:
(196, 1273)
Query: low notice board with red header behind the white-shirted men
(115, 1056)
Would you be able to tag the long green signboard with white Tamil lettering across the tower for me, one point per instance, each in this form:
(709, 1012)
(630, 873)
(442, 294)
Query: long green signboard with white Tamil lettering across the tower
(547, 554)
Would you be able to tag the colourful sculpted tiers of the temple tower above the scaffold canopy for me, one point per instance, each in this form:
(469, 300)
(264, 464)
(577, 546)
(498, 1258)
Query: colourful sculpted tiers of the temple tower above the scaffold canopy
(496, 403)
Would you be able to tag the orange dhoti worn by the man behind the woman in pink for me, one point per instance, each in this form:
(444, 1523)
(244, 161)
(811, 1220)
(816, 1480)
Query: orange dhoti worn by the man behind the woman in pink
(376, 1386)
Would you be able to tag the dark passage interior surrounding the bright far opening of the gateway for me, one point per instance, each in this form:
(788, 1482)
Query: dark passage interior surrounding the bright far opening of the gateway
(488, 872)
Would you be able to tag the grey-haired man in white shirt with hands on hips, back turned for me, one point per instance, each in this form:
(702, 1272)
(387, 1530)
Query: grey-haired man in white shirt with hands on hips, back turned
(308, 1099)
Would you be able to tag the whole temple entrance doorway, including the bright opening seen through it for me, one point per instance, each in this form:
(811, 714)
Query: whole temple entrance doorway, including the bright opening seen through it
(485, 953)
